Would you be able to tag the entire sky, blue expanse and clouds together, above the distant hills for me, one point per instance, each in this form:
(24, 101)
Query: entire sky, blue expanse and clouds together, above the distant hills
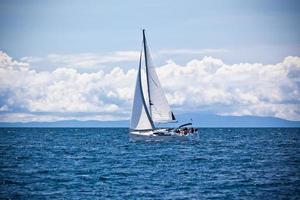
(78, 59)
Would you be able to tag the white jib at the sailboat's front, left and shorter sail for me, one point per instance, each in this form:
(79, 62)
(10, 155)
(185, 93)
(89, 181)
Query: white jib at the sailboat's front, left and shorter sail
(140, 117)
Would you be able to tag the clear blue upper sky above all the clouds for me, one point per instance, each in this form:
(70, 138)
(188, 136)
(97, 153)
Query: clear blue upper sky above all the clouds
(246, 28)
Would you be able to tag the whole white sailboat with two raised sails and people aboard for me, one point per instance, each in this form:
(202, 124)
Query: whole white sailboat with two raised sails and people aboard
(150, 107)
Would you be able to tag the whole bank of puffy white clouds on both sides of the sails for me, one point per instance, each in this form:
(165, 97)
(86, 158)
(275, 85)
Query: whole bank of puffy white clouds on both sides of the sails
(200, 85)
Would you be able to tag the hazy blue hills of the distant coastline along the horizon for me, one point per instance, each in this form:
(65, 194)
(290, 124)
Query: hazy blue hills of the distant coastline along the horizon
(197, 119)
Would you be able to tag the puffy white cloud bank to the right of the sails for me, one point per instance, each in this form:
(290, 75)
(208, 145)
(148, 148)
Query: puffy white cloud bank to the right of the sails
(239, 89)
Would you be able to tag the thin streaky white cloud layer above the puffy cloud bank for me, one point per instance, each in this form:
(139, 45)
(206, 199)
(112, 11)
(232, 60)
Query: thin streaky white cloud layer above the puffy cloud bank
(94, 61)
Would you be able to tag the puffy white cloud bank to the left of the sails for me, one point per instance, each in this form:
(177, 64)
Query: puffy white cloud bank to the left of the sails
(64, 90)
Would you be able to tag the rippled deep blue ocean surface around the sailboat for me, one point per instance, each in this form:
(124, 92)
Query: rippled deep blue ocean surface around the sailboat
(102, 163)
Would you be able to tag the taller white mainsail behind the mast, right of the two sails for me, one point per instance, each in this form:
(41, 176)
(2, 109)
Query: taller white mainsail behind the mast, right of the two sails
(160, 110)
